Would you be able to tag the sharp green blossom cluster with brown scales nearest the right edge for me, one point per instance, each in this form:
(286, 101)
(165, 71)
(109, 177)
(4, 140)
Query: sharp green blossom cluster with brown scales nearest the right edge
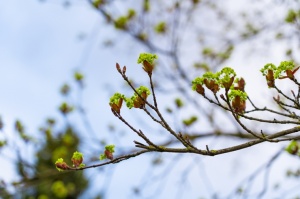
(272, 72)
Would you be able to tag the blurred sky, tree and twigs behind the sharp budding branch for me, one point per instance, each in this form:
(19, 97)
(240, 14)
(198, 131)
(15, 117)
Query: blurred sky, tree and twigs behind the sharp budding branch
(57, 66)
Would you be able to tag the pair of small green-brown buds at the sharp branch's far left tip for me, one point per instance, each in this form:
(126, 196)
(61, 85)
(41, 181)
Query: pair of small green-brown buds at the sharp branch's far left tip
(76, 159)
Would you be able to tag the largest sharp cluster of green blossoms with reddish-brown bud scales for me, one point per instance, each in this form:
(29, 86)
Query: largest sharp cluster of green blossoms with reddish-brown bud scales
(226, 78)
